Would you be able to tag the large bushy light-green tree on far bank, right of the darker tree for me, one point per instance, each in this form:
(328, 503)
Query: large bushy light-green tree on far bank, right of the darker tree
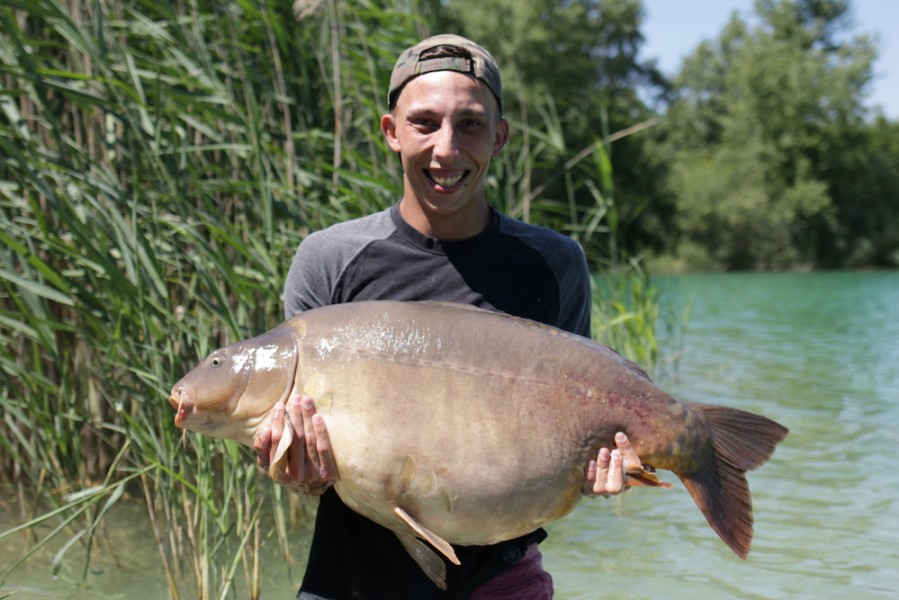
(761, 121)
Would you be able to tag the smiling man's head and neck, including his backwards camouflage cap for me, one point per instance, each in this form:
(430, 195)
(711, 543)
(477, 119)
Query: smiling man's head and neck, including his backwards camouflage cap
(446, 128)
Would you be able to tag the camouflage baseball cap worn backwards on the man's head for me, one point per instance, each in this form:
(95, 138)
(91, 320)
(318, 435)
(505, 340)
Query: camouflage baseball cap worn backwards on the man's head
(479, 64)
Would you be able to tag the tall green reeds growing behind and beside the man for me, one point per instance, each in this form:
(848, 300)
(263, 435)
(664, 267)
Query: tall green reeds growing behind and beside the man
(160, 163)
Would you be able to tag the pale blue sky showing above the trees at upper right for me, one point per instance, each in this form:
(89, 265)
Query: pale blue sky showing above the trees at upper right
(673, 29)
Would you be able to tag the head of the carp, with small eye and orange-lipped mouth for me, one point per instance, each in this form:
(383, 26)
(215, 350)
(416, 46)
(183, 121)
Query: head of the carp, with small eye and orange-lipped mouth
(234, 388)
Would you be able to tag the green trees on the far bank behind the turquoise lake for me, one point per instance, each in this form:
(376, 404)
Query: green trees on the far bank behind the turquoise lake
(763, 155)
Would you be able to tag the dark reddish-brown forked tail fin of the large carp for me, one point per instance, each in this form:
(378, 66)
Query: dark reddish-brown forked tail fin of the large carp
(739, 442)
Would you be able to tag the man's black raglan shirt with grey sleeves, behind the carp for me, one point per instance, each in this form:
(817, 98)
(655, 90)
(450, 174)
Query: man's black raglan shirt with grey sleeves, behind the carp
(514, 267)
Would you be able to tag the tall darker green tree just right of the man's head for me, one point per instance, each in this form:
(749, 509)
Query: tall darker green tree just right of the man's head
(571, 72)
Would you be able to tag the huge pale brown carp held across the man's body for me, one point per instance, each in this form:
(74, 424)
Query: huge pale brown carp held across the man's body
(459, 425)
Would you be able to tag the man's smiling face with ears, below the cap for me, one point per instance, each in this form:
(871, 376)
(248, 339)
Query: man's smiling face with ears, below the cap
(446, 127)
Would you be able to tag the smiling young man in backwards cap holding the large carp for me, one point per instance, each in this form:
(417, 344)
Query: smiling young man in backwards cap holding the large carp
(441, 242)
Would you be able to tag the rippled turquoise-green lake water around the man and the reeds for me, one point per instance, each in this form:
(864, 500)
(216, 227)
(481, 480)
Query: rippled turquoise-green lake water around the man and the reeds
(817, 352)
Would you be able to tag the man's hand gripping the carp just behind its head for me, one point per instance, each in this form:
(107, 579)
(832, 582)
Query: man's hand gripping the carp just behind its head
(307, 465)
